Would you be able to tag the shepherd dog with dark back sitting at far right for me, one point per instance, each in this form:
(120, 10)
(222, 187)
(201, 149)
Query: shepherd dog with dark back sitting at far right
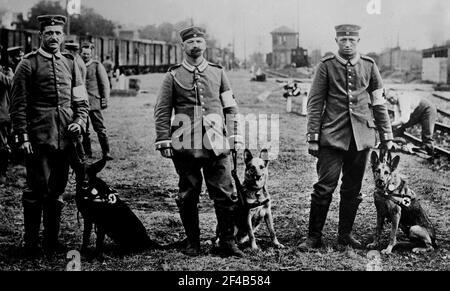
(395, 201)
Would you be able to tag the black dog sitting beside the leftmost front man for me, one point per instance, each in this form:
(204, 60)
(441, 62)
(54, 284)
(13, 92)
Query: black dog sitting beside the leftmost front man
(101, 206)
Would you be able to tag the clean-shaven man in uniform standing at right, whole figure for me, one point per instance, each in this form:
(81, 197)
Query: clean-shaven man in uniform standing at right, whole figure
(345, 97)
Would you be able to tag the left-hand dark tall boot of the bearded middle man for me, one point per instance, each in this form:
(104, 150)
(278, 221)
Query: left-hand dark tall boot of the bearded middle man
(190, 220)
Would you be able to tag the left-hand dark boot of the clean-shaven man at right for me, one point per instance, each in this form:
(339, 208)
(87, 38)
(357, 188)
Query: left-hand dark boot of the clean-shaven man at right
(317, 217)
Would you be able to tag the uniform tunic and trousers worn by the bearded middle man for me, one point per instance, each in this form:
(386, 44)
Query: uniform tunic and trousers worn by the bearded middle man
(205, 119)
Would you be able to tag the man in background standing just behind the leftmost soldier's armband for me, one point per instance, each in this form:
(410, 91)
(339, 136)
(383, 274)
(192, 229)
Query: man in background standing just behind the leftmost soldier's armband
(98, 89)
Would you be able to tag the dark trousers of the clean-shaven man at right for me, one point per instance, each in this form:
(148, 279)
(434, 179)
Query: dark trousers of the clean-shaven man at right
(330, 164)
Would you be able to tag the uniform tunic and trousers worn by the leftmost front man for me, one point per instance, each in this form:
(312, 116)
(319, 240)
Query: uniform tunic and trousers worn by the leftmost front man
(48, 95)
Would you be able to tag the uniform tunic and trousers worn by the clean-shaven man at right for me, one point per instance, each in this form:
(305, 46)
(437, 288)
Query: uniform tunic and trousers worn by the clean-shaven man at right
(345, 98)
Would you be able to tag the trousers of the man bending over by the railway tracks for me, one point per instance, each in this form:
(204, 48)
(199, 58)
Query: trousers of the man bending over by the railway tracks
(425, 114)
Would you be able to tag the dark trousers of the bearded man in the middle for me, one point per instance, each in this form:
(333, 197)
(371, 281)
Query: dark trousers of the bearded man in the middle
(217, 174)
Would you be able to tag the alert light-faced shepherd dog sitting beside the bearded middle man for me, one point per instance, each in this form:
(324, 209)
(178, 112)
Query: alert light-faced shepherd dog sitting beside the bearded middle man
(254, 200)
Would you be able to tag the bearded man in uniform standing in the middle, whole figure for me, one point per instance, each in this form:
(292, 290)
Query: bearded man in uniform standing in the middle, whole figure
(204, 129)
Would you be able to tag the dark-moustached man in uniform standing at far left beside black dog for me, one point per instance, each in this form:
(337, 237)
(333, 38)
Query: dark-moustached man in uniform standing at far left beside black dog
(49, 106)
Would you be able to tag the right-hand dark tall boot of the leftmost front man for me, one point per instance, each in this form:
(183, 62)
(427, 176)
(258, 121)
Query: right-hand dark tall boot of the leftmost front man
(52, 219)
